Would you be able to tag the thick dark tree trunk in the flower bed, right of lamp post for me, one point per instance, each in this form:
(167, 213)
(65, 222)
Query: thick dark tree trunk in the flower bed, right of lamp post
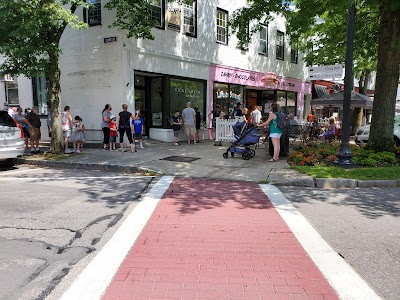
(381, 133)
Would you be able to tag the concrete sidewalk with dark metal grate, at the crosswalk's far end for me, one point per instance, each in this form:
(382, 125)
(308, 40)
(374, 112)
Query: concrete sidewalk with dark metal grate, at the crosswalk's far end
(203, 160)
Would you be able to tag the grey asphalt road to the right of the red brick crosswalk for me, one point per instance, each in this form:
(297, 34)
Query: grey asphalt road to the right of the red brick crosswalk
(362, 225)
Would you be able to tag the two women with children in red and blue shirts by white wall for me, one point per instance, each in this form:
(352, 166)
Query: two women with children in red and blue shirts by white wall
(126, 123)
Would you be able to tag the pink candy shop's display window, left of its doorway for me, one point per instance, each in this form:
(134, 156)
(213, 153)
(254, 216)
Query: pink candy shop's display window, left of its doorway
(227, 95)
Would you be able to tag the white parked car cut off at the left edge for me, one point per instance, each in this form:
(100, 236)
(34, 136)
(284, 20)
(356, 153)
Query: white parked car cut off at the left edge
(12, 142)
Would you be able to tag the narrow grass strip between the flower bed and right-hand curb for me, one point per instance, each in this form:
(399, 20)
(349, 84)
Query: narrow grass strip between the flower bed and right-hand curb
(379, 173)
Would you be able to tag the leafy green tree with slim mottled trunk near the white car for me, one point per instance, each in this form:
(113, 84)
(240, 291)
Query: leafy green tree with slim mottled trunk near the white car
(30, 33)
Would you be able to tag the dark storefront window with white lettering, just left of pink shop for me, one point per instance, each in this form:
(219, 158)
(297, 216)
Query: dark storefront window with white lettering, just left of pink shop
(182, 91)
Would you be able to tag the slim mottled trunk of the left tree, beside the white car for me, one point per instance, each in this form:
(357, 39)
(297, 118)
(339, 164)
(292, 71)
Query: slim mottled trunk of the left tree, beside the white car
(54, 96)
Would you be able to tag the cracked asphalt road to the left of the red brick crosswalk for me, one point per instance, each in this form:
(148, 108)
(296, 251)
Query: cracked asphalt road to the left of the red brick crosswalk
(54, 221)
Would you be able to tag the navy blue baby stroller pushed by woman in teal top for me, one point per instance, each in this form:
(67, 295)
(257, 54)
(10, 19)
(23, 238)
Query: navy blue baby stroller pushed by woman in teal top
(245, 136)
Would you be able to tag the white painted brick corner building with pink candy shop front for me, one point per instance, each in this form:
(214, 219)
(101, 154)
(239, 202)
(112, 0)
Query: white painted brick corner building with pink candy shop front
(192, 58)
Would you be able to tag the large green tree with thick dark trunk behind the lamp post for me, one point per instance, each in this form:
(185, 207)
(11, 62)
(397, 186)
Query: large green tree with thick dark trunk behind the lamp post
(377, 25)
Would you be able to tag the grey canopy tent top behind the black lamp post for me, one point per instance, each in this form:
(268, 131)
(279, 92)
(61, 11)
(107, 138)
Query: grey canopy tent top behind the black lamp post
(336, 100)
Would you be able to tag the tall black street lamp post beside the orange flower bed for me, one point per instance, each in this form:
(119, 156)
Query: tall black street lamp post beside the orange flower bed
(344, 157)
